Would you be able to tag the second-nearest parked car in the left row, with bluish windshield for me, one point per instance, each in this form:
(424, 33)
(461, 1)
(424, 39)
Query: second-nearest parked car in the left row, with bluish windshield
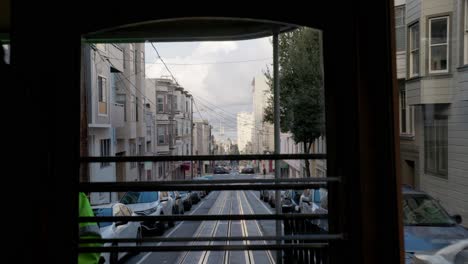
(150, 203)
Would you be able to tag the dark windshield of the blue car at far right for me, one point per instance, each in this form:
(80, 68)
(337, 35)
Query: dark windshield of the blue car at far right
(424, 211)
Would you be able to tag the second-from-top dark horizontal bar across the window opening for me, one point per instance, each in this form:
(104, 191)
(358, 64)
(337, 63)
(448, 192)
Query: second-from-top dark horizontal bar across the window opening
(205, 185)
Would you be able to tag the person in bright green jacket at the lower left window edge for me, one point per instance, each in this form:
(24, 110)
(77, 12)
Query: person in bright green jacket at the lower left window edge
(88, 230)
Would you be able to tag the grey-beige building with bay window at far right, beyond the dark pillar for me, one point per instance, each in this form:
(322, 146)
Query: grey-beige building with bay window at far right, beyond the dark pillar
(432, 61)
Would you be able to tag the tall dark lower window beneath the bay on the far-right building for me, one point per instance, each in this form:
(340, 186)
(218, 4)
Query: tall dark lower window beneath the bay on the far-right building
(435, 140)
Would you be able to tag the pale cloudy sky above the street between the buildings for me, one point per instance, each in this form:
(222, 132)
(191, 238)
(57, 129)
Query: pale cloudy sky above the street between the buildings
(218, 74)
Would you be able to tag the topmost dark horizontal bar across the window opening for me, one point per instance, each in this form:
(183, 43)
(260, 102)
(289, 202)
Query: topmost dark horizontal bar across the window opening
(94, 159)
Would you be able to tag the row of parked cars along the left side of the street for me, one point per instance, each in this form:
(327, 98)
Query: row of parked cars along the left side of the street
(143, 204)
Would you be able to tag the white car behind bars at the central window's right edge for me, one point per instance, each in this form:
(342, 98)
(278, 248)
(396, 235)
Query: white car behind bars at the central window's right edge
(315, 201)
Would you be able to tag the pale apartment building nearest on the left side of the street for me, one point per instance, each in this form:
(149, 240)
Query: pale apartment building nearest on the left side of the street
(114, 75)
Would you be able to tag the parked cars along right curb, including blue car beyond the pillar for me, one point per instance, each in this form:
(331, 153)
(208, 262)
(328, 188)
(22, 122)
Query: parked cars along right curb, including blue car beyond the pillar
(431, 234)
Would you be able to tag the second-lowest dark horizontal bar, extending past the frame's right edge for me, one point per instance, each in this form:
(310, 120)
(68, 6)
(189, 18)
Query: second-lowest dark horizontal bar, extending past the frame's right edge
(314, 237)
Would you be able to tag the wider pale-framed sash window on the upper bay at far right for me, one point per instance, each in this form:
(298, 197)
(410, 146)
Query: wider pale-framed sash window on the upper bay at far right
(438, 44)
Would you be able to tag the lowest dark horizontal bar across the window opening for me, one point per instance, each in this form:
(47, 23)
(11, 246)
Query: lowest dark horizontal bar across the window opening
(135, 249)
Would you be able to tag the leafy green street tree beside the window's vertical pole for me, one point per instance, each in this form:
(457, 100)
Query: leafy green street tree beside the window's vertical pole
(301, 88)
